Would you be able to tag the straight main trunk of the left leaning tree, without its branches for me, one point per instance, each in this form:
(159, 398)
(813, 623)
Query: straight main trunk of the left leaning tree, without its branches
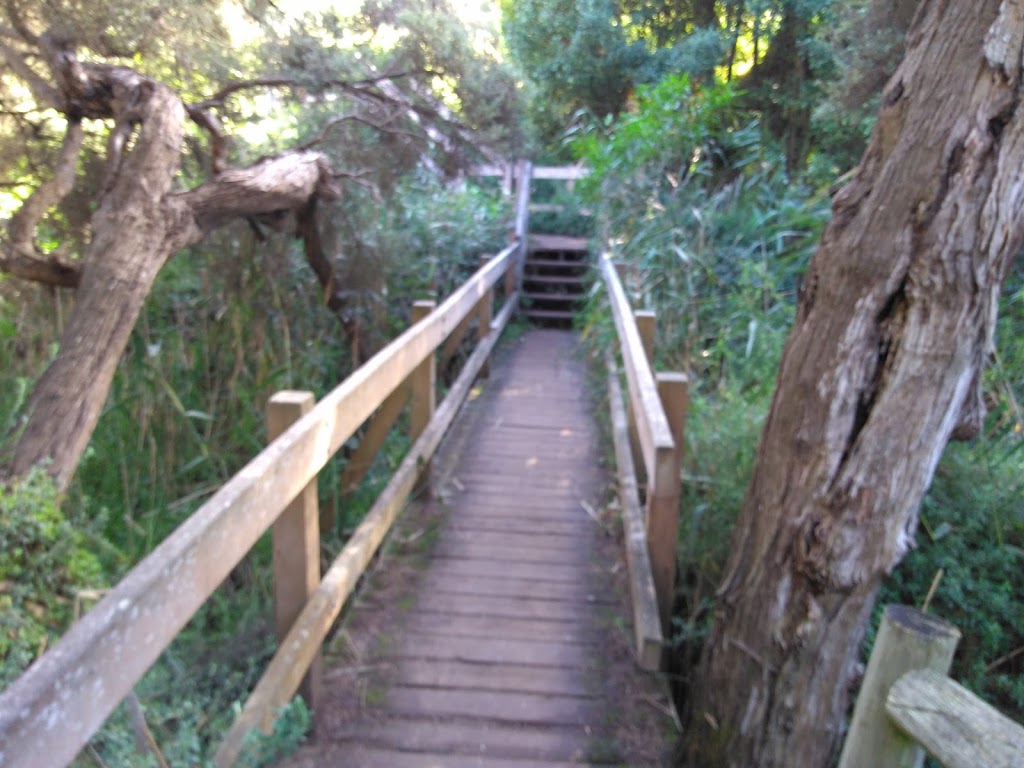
(123, 259)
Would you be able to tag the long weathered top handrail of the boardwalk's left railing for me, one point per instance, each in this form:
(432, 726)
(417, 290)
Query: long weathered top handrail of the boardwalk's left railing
(52, 711)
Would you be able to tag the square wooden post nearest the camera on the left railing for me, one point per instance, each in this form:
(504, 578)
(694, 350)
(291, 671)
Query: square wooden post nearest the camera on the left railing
(295, 541)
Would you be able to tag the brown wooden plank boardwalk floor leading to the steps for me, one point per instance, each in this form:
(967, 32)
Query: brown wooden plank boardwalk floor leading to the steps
(498, 657)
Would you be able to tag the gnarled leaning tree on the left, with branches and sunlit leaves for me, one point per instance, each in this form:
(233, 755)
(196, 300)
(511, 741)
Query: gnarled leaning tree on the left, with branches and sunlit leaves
(108, 79)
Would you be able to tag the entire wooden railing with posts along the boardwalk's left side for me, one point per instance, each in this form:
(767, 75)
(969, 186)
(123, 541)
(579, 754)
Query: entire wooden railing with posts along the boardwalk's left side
(49, 714)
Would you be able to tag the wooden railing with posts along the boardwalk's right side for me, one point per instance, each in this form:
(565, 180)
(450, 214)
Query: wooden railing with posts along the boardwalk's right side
(648, 430)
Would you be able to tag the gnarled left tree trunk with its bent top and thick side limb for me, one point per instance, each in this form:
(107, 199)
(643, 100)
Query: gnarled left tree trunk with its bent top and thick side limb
(140, 224)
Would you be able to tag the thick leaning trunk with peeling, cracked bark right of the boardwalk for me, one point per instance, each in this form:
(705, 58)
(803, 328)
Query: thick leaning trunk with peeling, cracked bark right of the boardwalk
(881, 370)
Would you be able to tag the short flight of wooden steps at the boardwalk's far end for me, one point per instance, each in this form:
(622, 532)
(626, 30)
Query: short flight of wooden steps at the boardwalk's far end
(556, 279)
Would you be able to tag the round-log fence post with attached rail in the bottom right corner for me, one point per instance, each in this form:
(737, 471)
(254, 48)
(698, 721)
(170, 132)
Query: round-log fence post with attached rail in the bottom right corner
(909, 706)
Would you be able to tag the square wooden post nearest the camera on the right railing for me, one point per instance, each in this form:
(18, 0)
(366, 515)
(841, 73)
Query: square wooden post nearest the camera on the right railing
(663, 501)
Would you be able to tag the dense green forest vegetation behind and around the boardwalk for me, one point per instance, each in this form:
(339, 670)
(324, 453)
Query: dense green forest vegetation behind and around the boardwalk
(717, 133)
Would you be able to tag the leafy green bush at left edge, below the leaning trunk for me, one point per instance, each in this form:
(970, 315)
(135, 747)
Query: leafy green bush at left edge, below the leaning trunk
(46, 560)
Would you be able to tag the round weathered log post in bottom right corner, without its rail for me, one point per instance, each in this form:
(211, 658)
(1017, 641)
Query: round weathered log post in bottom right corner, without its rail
(909, 639)
